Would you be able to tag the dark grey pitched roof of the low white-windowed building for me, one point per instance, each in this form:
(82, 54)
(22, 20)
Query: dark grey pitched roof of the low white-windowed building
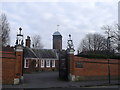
(40, 53)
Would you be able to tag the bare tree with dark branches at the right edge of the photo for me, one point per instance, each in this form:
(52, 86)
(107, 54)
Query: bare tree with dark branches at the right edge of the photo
(113, 36)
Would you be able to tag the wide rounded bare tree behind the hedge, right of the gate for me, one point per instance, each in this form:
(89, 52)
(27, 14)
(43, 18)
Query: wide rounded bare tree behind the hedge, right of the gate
(93, 42)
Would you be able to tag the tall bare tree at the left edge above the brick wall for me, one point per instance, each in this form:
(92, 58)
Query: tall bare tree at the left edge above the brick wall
(4, 30)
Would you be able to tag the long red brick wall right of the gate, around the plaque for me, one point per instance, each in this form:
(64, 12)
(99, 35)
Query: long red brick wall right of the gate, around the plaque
(95, 68)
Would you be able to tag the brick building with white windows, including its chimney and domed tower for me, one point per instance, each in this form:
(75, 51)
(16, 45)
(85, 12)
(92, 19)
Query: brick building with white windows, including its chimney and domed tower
(42, 59)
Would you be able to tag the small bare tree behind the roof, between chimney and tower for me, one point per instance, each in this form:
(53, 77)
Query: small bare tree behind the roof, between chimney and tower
(36, 42)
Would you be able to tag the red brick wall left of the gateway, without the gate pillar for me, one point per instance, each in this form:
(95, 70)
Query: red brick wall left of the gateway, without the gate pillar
(8, 67)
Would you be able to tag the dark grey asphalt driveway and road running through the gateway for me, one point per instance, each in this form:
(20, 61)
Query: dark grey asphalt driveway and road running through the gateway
(51, 80)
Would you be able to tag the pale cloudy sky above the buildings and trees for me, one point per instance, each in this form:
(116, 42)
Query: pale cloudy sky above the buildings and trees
(77, 18)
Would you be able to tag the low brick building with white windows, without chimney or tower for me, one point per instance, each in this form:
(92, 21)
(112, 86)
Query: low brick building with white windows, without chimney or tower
(40, 60)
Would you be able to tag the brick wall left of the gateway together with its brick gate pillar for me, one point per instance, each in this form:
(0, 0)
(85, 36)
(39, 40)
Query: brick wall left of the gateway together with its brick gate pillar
(11, 65)
